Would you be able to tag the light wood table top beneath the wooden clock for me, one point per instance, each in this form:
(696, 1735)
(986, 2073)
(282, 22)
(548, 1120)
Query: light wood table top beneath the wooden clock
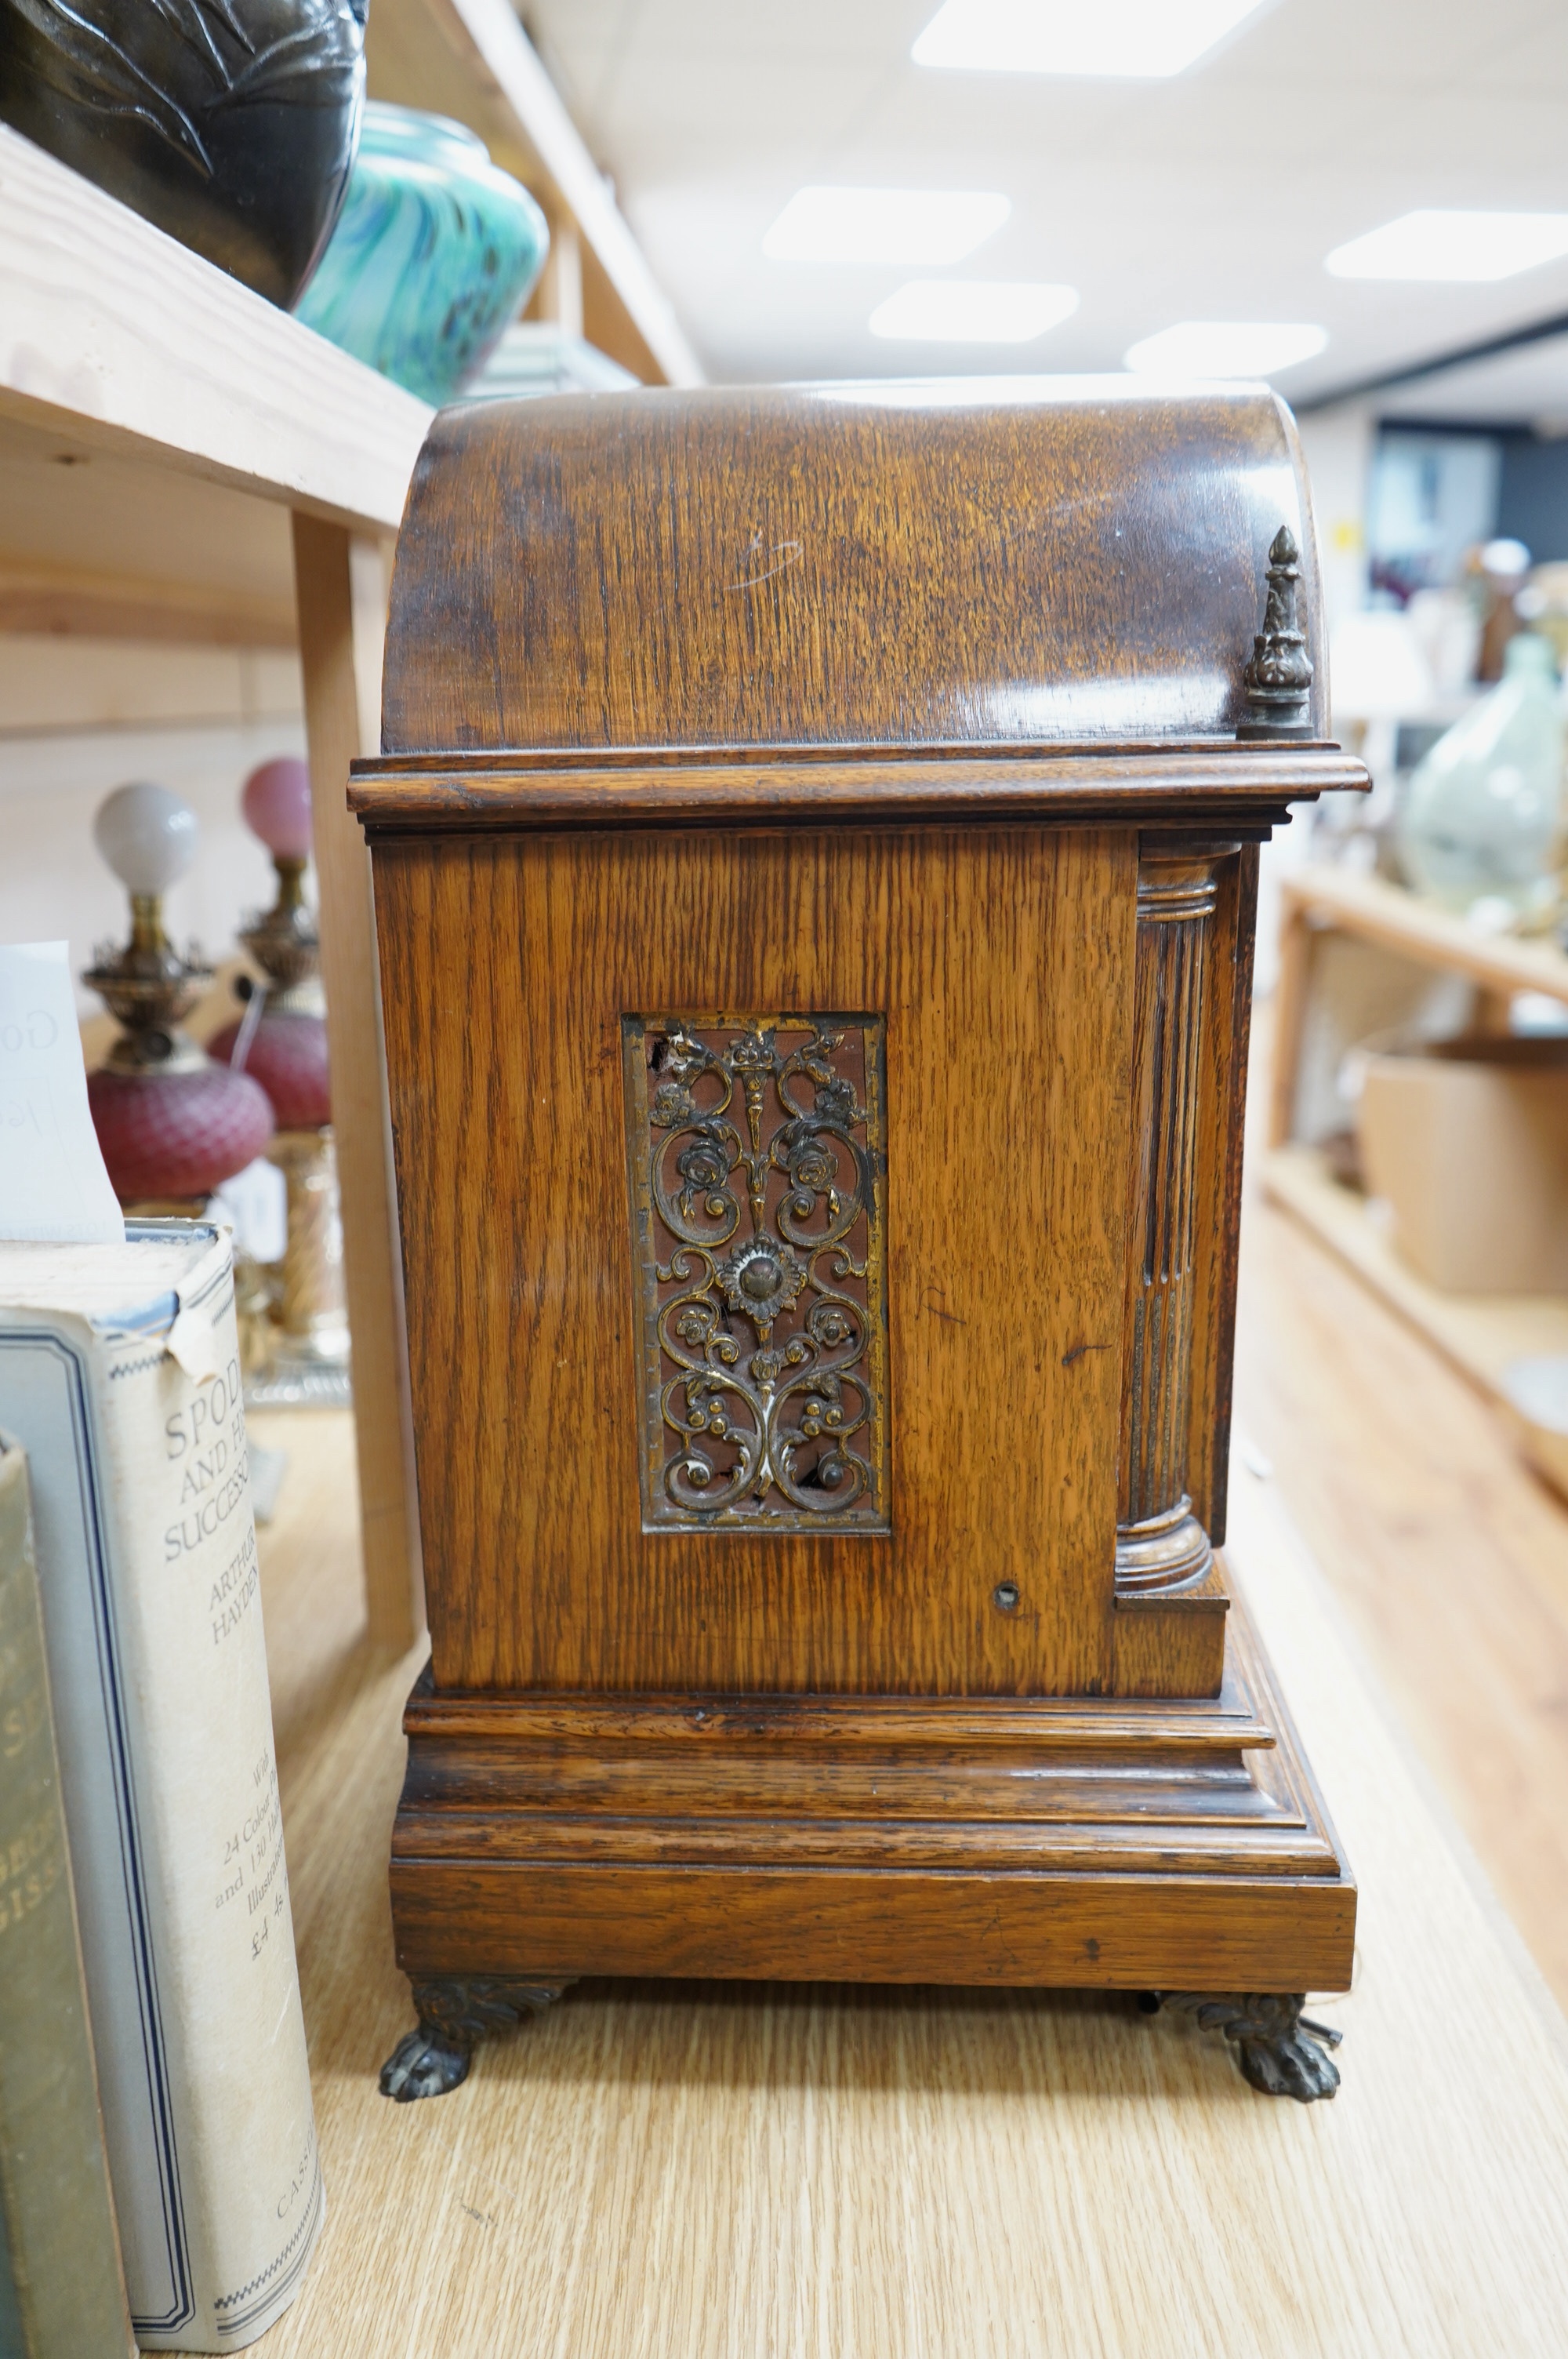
(826, 2174)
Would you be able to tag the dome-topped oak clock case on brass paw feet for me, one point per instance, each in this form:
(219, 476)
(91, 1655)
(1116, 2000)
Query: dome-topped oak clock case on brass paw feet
(815, 867)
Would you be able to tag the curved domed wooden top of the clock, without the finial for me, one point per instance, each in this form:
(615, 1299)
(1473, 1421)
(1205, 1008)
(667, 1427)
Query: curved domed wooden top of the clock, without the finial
(841, 565)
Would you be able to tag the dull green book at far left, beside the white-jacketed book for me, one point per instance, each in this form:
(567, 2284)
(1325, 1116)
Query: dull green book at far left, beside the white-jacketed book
(62, 2294)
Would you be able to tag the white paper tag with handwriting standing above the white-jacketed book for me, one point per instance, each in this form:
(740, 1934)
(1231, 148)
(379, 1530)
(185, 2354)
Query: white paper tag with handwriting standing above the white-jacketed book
(53, 1181)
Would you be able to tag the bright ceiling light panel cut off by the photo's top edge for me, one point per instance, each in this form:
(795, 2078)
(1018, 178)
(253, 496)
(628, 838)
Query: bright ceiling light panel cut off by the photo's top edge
(1128, 39)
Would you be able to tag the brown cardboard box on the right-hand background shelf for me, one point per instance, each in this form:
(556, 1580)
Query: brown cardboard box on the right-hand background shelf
(1468, 1141)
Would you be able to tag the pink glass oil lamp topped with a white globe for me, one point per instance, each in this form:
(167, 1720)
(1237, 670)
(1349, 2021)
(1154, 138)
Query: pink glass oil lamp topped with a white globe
(171, 1122)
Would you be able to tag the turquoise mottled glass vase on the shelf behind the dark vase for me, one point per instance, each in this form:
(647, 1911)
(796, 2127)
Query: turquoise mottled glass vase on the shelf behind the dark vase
(433, 258)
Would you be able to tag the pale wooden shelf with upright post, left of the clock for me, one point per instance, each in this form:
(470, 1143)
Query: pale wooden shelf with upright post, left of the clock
(185, 461)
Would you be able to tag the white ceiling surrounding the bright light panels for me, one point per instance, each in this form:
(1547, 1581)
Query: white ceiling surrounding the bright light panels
(1213, 195)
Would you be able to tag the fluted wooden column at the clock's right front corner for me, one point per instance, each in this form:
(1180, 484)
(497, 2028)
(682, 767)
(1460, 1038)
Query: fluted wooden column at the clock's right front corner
(1159, 1539)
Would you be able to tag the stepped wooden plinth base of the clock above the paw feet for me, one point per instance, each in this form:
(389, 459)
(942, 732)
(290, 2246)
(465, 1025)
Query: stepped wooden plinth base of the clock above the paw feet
(1074, 1844)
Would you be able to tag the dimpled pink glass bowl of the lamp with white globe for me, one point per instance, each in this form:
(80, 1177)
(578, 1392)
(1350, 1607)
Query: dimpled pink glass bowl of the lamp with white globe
(178, 1136)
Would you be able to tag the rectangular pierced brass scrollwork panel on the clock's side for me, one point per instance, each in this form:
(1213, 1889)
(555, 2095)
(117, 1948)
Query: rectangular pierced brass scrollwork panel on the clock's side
(758, 1157)
